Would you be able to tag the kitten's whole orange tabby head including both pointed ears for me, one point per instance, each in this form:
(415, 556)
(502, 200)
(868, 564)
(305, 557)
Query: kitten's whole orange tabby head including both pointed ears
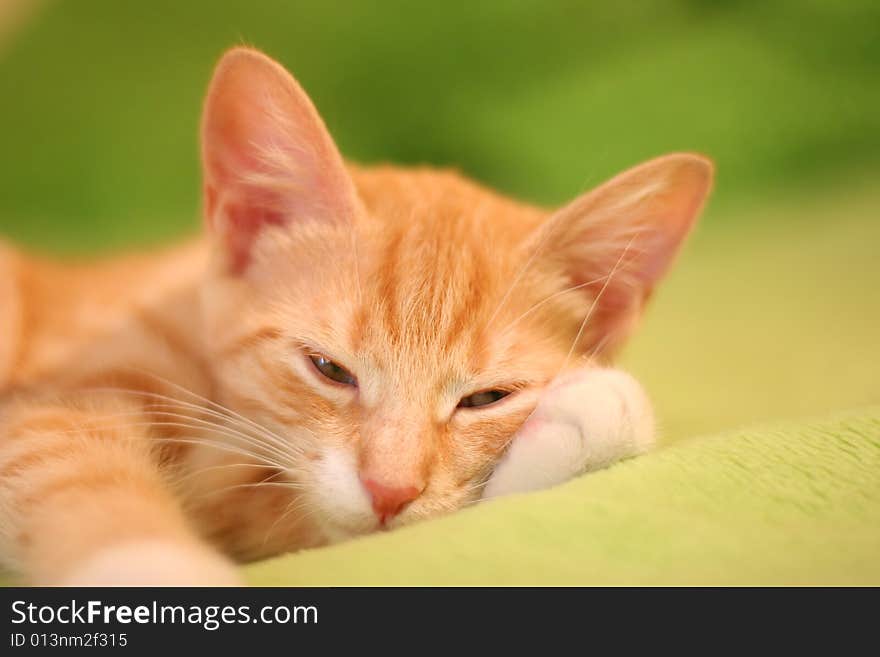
(395, 327)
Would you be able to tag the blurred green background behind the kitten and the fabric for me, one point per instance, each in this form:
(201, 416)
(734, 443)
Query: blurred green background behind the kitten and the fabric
(773, 311)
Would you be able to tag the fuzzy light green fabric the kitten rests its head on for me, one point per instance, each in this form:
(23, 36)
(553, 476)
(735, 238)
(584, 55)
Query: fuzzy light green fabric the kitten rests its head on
(789, 503)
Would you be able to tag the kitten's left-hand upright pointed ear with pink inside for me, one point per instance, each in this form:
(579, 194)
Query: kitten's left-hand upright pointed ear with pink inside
(267, 157)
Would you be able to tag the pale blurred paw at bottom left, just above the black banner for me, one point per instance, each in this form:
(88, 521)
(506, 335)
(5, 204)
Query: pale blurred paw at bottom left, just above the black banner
(154, 563)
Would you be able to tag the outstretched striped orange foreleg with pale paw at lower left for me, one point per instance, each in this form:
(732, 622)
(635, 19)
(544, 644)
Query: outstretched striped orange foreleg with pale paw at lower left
(83, 500)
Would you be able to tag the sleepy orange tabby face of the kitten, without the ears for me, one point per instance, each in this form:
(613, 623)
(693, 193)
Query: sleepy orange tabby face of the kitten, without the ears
(417, 311)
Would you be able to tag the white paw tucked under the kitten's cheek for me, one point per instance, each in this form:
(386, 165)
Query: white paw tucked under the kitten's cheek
(586, 420)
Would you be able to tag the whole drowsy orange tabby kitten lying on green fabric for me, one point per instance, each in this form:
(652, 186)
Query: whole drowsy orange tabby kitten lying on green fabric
(347, 349)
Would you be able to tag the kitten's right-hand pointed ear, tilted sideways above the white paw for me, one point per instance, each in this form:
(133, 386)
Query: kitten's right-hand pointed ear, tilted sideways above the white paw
(618, 240)
